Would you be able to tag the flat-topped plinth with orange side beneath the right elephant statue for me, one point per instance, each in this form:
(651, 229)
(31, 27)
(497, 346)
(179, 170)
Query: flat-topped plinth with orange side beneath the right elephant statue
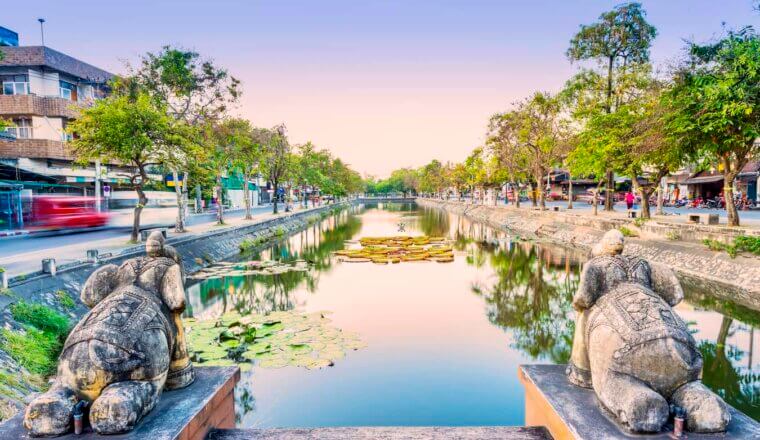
(569, 411)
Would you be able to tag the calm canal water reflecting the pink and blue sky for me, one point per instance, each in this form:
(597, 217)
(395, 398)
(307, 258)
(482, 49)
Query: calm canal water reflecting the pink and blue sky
(444, 339)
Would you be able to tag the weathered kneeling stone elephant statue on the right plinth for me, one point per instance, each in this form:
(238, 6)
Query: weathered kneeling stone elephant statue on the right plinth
(633, 350)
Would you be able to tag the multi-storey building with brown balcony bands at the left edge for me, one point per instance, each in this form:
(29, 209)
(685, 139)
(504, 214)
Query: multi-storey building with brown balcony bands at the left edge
(42, 90)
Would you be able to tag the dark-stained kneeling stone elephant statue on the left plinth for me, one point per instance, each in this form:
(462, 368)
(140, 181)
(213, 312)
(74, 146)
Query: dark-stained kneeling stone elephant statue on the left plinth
(125, 351)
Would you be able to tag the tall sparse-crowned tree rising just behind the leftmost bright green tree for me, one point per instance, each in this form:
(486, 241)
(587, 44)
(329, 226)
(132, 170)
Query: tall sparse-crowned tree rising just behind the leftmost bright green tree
(193, 90)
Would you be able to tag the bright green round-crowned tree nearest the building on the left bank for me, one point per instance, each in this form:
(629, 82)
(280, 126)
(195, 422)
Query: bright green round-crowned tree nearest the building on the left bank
(132, 130)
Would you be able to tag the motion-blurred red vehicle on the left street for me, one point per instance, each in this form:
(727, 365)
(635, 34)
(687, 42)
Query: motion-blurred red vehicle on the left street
(65, 212)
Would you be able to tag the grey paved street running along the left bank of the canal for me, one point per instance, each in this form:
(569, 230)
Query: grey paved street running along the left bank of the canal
(24, 254)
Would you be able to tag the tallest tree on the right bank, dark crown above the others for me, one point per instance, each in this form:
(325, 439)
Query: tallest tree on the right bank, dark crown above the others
(620, 38)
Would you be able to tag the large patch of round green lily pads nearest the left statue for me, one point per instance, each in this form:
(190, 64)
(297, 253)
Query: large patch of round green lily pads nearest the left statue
(276, 340)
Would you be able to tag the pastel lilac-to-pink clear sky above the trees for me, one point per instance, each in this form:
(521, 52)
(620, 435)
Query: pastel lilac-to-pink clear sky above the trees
(380, 83)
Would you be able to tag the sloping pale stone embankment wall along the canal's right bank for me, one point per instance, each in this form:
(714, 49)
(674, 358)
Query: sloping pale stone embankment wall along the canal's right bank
(736, 279)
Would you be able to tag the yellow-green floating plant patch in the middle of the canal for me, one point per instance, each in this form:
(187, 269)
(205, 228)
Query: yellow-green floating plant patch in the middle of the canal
(384, 250)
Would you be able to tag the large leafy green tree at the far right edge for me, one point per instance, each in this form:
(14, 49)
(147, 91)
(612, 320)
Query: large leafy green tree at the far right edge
(714, 106)
